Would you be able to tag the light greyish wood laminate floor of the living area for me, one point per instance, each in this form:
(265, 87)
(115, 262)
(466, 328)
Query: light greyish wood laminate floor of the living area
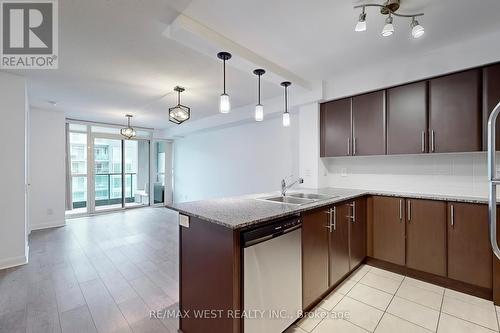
(97, 274)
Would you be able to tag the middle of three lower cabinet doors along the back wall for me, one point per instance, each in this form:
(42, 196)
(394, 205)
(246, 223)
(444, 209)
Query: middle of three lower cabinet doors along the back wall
(426, 236)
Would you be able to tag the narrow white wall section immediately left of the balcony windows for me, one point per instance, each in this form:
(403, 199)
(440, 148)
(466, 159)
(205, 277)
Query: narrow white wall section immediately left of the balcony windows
(47, 169)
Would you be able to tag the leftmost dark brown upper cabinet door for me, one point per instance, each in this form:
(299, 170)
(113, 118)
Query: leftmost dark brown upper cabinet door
(336, 128)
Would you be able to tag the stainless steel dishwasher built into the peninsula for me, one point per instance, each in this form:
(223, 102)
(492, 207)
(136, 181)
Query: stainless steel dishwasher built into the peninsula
(272, 276)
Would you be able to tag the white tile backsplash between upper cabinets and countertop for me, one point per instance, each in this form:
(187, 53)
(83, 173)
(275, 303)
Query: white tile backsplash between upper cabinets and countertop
(463, 174)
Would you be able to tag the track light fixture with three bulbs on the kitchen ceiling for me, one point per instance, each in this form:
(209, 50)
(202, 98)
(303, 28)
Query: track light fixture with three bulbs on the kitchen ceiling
(389, 8)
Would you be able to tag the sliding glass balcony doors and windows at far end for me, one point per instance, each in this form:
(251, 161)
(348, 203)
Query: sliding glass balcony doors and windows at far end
(107, 172)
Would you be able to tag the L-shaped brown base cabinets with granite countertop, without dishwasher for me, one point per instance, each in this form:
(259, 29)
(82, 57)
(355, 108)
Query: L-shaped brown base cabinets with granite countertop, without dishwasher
(341, 230)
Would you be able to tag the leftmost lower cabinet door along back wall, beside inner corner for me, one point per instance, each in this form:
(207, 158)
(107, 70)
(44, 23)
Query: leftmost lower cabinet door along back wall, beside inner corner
(388, 229)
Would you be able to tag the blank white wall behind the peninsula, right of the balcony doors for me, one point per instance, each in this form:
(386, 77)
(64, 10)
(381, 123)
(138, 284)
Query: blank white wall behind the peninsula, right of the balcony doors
(243, 159)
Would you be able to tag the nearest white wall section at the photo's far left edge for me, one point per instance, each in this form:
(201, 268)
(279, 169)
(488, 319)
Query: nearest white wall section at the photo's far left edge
(13, 145)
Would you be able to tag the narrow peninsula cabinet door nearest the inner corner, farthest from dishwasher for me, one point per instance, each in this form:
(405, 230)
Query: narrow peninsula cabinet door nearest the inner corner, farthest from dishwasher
(357, 232)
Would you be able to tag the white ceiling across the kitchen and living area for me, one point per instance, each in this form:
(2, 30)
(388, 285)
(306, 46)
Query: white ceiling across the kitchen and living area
(114, 59)
